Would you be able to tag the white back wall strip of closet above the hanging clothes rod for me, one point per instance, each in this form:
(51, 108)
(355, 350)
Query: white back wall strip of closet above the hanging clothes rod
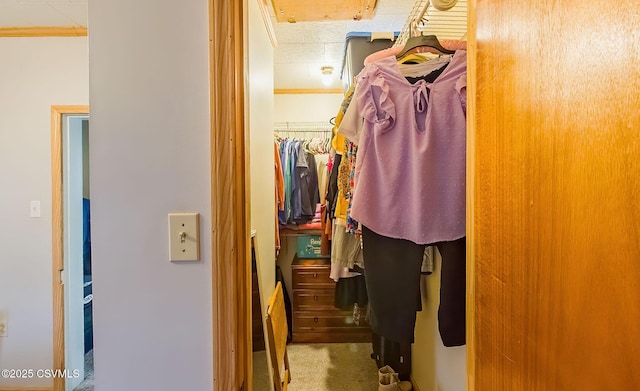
(306, 107)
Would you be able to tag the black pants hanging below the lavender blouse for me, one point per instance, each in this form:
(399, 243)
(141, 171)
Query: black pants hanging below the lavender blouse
(392, 273)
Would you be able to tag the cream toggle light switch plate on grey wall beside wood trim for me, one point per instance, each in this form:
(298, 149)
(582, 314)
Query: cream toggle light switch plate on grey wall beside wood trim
(184, 237)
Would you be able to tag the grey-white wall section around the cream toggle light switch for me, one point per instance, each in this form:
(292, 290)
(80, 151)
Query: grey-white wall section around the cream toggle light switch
(149, 146)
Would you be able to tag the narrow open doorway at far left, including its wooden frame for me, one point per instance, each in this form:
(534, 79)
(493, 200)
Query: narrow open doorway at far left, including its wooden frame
(73, 299)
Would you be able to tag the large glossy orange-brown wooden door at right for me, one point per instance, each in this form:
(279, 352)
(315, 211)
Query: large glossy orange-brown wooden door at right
(554, 195)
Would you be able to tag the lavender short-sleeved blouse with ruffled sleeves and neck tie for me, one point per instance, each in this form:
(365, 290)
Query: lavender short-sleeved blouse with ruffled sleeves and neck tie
(411, 167)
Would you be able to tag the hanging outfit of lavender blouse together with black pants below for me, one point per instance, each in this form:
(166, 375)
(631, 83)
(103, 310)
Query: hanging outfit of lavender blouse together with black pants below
(408, 127)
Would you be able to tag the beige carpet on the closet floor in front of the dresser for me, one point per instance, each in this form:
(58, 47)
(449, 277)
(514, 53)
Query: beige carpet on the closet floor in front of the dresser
(324, 367)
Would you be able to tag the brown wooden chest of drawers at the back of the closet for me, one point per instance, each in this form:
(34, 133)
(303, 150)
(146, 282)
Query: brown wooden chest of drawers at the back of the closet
(315, 319)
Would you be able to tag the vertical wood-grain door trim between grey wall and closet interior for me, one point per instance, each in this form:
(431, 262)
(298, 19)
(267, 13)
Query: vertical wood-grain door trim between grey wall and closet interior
(231, 277)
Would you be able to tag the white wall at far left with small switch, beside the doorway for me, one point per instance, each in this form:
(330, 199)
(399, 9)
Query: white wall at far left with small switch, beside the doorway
(35, 73)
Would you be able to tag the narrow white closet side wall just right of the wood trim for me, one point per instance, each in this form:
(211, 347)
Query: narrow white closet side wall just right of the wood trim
(261, 153)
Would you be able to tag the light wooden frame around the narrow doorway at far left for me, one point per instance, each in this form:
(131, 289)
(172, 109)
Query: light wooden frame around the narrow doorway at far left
(57, 240)
